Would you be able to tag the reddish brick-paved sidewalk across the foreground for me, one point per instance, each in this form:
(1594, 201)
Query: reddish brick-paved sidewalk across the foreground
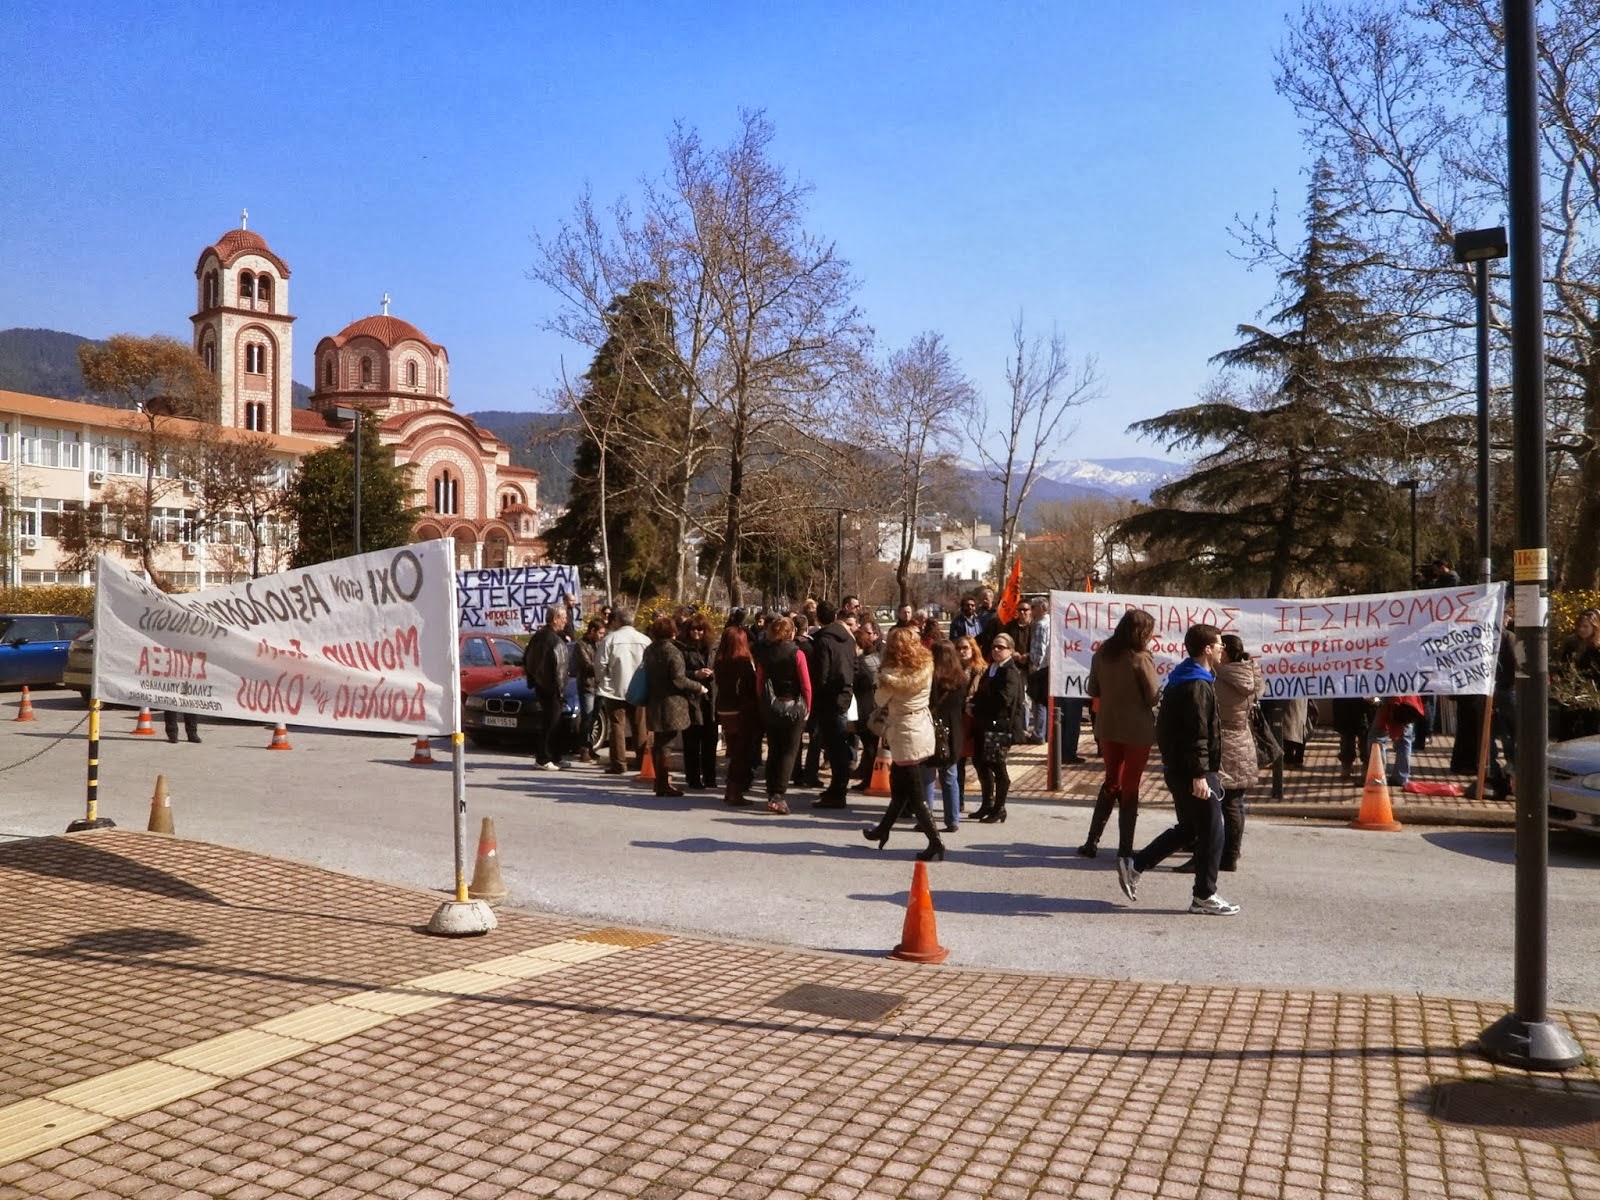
(231, 1025)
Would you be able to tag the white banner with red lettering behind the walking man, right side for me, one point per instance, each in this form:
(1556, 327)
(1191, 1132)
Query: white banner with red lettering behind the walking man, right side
(1439, 642)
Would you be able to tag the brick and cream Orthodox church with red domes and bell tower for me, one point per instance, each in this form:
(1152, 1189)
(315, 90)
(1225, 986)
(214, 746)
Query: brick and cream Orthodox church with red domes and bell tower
(382, 366)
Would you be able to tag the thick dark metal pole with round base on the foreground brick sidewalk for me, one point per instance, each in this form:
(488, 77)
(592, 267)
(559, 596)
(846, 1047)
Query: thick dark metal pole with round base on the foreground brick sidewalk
(1526, 1036)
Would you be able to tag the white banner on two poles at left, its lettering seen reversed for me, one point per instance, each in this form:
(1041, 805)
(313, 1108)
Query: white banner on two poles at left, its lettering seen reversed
(358, 644)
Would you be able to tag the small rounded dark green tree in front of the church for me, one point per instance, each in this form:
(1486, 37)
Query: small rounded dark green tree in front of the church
(322, 500)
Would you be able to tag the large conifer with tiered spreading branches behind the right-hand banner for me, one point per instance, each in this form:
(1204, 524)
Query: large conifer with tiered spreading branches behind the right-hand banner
(1294, 489)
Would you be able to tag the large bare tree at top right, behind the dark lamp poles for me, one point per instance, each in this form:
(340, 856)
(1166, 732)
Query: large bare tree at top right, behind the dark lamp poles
(1410, 106)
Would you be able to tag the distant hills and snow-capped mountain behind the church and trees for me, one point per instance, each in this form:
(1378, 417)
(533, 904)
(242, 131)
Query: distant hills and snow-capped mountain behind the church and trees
(46, 362)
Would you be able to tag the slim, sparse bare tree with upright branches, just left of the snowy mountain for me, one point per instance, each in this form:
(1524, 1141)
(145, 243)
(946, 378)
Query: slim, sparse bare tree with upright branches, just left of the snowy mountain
(1044, 386)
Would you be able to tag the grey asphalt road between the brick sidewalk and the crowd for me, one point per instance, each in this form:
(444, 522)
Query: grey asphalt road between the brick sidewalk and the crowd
(1324, 906)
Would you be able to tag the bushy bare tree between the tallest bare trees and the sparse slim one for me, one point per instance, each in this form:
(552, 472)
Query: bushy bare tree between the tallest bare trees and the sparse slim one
(919, 407)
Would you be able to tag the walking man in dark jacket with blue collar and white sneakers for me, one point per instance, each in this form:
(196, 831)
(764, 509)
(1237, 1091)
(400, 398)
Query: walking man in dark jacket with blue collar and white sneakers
(1190, 732)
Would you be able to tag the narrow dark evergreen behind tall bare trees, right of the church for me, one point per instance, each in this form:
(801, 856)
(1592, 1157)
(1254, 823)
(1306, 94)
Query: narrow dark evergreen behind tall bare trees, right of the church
(630, 409)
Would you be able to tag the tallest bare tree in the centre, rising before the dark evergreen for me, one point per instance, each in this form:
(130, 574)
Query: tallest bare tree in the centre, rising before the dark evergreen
(758, 313)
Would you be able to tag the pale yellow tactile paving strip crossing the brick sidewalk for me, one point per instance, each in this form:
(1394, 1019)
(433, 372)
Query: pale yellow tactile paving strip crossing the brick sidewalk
(89, 1106)
